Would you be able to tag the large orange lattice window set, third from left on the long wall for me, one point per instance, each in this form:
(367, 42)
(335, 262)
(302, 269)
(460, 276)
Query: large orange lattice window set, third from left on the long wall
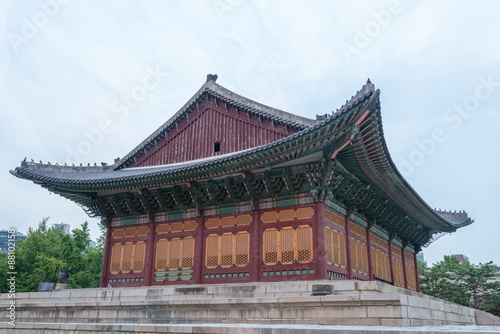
(227, 250)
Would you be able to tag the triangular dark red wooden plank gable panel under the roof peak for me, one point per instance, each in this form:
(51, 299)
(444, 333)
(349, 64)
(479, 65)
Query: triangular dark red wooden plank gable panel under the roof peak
(195, 137)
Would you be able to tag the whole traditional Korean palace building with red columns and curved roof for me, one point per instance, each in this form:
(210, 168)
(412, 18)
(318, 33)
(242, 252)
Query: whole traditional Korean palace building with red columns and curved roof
(230, 190)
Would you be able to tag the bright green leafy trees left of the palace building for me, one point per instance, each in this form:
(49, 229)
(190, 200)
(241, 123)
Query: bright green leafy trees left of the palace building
(46, 251)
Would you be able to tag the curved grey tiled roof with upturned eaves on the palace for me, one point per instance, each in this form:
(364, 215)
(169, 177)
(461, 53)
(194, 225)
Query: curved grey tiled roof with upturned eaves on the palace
(367, 158)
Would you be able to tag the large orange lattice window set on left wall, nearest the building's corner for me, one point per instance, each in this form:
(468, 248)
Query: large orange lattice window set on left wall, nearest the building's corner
(287, 245)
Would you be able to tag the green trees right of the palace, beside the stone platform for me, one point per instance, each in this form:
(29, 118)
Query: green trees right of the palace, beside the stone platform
(462, 283)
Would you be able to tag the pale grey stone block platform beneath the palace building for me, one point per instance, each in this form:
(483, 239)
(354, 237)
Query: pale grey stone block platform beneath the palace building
(225, 308)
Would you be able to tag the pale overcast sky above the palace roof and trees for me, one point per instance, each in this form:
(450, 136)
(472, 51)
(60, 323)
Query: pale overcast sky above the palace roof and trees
(73, 87)
